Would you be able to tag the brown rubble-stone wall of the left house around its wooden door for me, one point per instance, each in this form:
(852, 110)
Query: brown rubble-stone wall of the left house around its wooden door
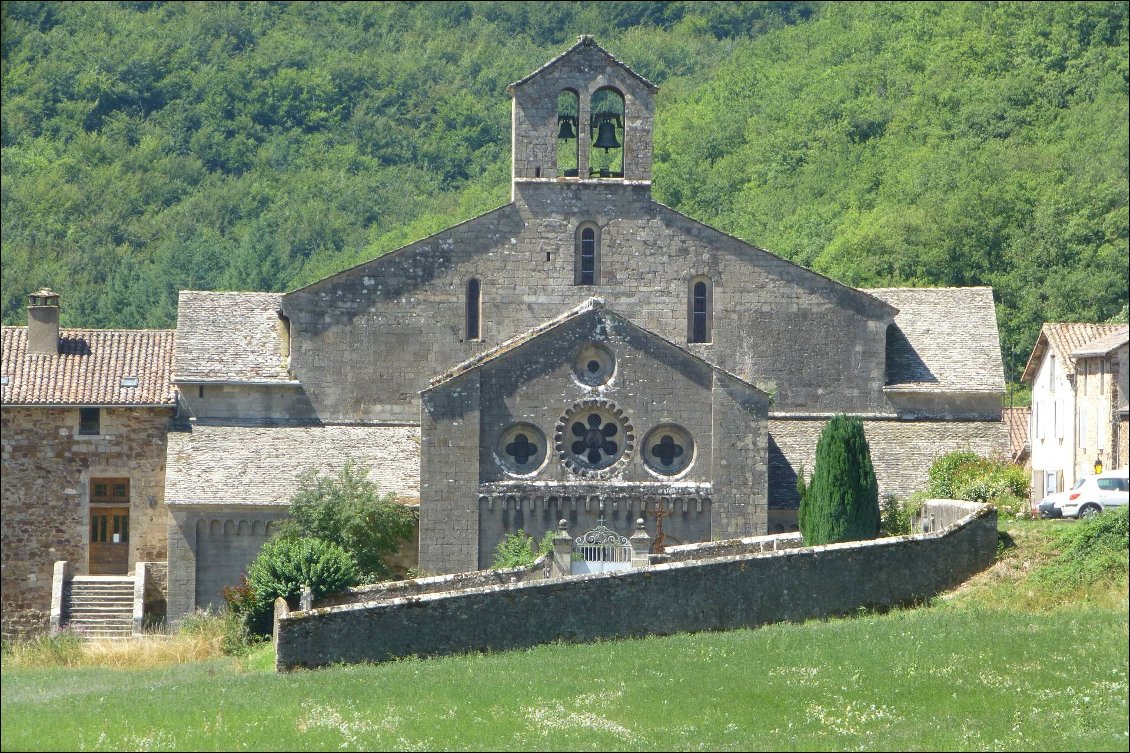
(48, 468)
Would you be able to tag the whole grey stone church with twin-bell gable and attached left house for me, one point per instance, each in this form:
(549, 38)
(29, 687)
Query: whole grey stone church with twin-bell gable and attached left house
(581, 353)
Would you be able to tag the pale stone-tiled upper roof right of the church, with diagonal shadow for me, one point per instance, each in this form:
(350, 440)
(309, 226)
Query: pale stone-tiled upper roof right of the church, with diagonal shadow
(945, 340)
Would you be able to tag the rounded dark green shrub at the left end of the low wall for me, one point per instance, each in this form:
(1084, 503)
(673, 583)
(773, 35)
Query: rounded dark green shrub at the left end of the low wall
(284, 566)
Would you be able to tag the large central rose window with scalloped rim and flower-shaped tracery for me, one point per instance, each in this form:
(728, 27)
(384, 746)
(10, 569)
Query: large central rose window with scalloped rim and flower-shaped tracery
(594, 437)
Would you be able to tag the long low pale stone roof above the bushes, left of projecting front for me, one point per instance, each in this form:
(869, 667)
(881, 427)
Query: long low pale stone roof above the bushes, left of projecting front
(263, 465)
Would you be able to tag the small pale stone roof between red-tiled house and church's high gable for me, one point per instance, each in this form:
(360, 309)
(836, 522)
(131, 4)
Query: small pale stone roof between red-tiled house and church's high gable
(230, 337)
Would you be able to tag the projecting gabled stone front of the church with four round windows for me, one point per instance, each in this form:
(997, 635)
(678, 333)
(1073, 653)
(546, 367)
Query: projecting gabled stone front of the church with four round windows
(584, 419)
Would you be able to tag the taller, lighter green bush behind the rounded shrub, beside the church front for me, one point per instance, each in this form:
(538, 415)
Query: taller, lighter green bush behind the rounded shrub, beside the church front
(349, 510)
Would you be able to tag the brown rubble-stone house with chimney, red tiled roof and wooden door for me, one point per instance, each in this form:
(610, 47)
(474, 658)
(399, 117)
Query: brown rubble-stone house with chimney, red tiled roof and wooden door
(85, 418)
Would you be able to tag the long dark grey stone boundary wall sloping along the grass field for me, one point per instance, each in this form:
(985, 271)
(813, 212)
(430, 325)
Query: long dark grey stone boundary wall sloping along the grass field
(731, 592)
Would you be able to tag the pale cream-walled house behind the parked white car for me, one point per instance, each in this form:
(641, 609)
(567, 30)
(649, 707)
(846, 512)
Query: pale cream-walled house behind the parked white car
(1079, 375)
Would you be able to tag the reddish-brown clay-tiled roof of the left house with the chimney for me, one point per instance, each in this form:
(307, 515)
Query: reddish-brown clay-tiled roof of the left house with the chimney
(90, 369)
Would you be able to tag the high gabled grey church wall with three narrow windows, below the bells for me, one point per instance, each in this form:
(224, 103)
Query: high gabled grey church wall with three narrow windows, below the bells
(819, 345)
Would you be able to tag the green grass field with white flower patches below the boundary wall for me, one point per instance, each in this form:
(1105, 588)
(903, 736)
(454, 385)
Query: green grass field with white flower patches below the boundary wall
(1004, 664)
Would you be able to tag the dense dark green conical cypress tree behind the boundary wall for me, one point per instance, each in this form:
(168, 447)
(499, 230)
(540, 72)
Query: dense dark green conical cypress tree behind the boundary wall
(842, 501)
